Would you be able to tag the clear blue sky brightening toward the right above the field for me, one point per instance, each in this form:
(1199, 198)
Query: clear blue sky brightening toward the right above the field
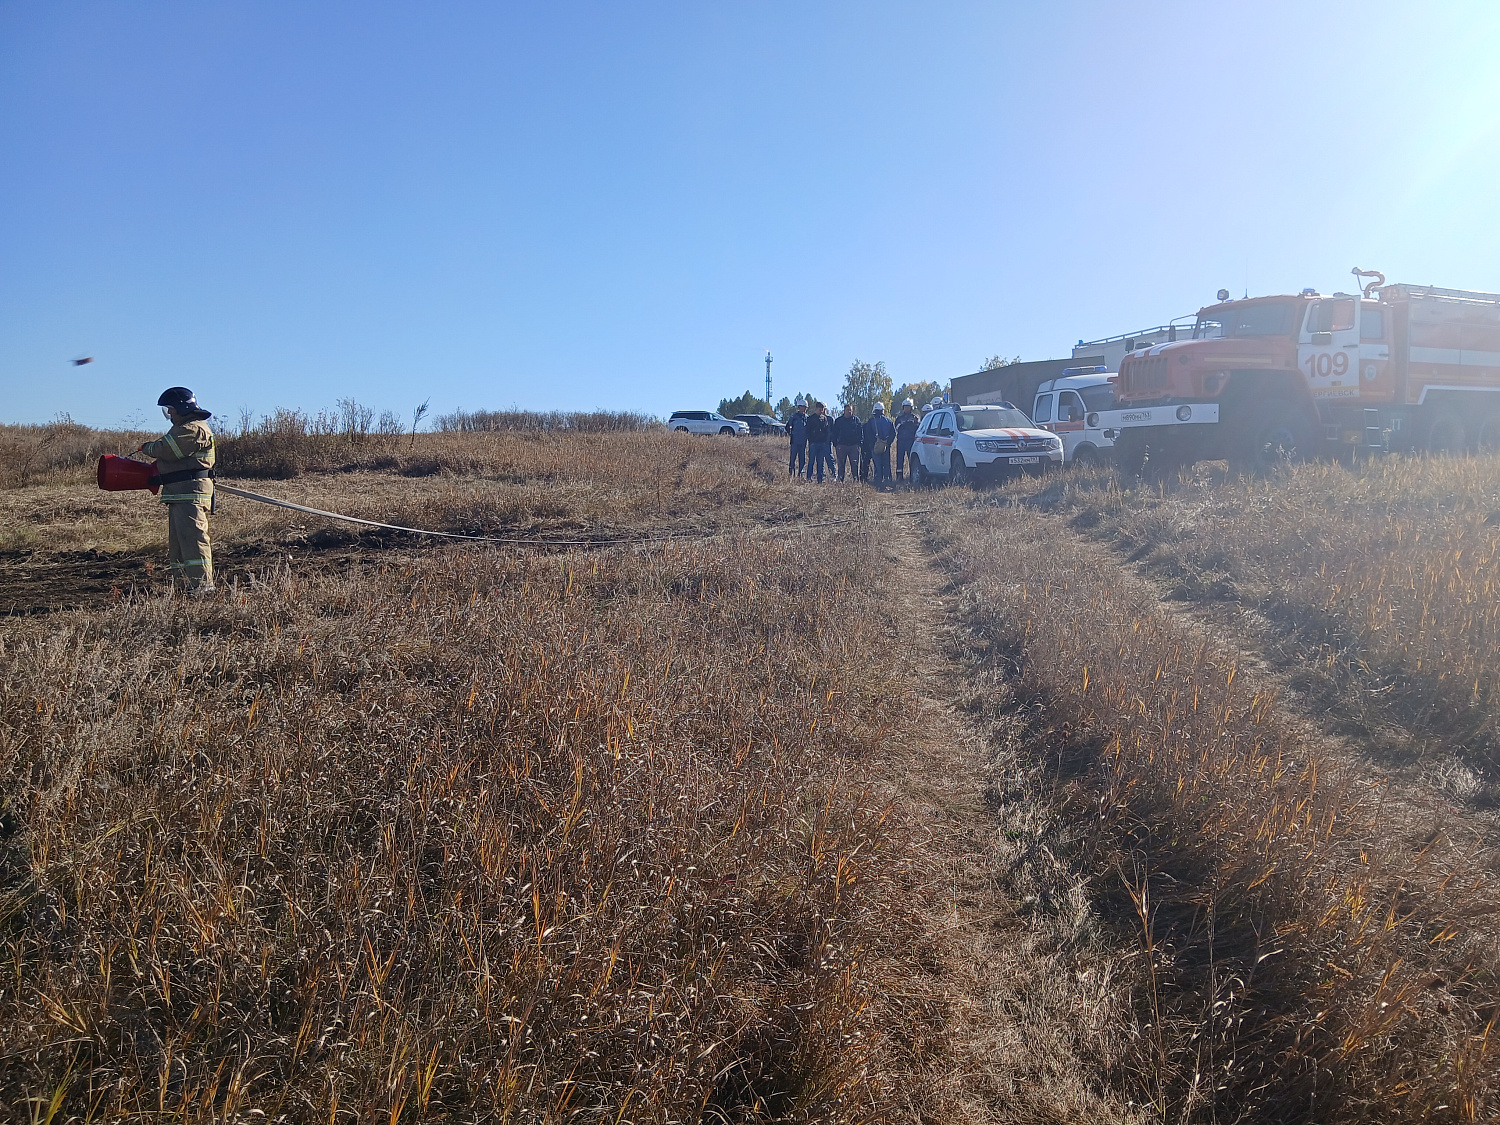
(625, 205)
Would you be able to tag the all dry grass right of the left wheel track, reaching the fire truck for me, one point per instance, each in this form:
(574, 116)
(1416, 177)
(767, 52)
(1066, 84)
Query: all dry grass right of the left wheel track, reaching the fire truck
(1316, 941)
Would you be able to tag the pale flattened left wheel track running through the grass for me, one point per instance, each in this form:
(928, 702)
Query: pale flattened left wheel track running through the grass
(1036, 1025)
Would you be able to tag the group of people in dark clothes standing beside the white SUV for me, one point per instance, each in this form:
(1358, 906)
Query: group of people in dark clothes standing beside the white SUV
(847, 446)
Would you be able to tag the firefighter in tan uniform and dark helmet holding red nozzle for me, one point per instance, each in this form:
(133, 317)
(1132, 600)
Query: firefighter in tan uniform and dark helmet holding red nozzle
(185, 470)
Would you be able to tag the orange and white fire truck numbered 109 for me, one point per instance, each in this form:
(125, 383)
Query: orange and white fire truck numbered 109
(1273, 379)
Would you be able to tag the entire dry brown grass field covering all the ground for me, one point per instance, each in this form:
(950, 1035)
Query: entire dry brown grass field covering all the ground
(754, 800)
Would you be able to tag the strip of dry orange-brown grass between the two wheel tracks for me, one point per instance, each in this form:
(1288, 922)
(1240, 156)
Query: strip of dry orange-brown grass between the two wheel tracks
(1313, 943)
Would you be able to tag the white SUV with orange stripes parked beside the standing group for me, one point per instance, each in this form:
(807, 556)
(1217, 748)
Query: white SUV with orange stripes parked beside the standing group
(961, 443)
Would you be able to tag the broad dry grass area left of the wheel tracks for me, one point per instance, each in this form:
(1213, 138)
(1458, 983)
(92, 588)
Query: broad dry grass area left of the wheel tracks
(472, 833)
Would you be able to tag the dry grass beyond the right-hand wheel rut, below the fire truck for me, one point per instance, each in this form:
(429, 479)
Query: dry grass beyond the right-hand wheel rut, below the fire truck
(1376, 589)
